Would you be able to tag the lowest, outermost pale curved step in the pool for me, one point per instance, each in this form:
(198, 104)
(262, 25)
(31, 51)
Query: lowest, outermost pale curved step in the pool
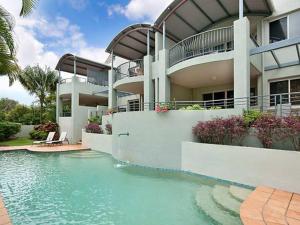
(207, 204)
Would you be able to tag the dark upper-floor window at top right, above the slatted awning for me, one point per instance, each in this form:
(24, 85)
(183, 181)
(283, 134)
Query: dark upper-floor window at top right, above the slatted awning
(278, 30)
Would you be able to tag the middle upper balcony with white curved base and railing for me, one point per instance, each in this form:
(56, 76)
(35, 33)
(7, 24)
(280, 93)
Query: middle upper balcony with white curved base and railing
(130, 77)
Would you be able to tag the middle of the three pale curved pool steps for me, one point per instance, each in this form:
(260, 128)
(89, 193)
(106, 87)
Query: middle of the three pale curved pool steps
(225, 200)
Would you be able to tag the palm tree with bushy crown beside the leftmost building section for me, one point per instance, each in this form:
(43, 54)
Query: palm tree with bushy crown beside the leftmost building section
(39, 82)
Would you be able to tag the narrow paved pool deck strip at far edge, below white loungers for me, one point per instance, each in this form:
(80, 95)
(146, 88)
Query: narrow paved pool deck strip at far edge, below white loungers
(45, 148)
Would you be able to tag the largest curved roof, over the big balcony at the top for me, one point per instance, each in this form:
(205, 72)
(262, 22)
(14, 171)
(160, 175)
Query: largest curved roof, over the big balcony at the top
(188, 17)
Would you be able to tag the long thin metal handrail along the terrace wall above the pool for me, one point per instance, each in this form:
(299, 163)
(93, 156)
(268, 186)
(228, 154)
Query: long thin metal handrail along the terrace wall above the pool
(283, 104)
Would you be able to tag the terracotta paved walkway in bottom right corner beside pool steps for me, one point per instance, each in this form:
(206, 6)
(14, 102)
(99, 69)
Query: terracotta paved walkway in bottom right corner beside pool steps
(269, 206)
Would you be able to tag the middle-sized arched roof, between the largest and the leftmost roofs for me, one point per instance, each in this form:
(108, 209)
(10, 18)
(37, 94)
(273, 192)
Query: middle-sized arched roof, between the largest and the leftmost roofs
(131, 43)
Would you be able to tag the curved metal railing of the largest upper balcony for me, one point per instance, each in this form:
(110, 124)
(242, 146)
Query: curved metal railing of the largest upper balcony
(212, 41)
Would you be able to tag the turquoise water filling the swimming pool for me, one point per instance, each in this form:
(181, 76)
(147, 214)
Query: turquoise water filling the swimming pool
(85, 188)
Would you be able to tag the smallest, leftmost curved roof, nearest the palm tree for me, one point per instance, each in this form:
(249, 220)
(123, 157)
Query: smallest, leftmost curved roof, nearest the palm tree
(66, 64)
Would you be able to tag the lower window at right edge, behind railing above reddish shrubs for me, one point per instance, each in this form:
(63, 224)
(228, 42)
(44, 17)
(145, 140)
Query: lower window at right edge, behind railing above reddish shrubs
(286, 91)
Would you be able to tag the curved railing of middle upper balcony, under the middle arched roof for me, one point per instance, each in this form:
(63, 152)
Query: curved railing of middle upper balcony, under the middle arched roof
(130, 69)
